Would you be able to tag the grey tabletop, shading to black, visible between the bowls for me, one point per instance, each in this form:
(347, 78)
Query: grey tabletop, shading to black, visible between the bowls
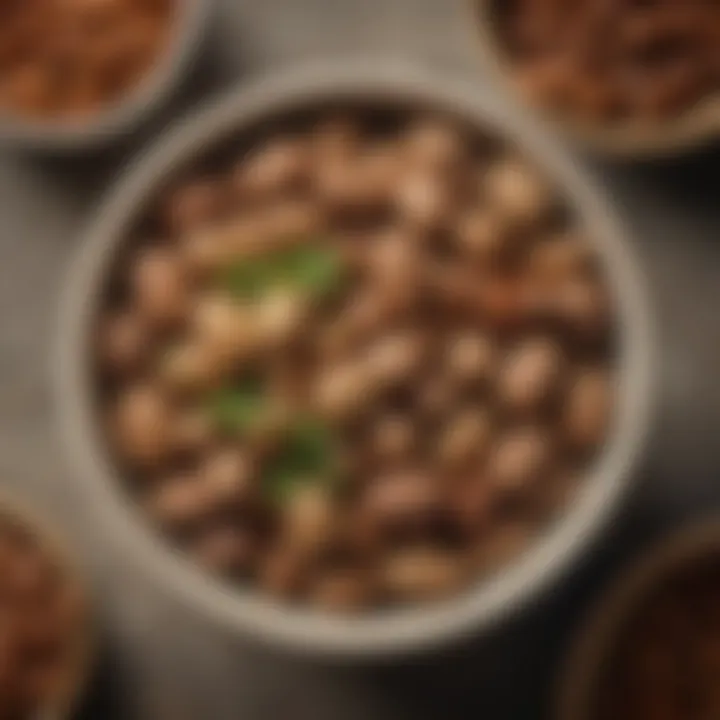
(161, 662)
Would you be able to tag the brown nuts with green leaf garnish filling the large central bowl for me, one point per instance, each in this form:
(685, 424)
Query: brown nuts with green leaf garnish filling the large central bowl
(361, 366)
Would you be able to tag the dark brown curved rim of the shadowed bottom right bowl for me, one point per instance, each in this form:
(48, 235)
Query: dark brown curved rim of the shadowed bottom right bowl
(598, 633)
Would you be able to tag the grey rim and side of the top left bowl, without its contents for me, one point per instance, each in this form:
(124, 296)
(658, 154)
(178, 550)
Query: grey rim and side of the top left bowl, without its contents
(127, 113)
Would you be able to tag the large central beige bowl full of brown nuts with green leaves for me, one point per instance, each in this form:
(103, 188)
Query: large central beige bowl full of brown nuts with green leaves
(365, 350)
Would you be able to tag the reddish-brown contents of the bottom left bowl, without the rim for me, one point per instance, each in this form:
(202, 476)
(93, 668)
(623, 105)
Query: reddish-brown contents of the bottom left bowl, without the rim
(41, 615)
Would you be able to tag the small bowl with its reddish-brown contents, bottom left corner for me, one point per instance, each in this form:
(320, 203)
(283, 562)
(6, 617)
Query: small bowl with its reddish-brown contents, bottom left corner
(45, 646)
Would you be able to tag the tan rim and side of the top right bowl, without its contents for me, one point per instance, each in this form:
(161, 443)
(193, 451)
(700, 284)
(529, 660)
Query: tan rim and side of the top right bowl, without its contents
(629, 140)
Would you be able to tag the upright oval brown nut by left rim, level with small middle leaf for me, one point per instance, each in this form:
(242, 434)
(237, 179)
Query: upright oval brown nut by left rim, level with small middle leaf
(141, 421)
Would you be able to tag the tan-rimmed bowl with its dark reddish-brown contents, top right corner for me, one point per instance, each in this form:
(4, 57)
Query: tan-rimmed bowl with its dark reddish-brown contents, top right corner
(622, 78)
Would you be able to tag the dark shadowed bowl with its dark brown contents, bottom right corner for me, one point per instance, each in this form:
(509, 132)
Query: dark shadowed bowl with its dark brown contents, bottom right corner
(650, 647)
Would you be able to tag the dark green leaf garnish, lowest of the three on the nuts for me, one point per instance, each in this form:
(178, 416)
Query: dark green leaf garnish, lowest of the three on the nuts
(307, 455)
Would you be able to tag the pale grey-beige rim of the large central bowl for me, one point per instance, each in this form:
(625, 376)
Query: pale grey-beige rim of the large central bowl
(301, 630)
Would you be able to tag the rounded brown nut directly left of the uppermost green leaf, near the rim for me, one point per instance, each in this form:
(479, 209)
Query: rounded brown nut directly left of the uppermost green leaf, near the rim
(159, 286)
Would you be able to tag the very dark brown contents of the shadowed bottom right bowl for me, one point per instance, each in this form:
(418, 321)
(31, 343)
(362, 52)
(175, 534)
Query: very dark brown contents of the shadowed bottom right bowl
(668, 662)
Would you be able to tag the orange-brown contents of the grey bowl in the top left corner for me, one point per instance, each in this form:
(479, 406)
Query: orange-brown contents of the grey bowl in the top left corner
(71, 58)
